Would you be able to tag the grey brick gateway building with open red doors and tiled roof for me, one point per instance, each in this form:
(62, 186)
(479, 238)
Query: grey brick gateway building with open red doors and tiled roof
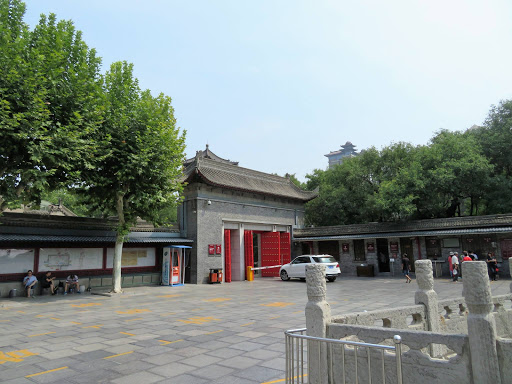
(237, 217)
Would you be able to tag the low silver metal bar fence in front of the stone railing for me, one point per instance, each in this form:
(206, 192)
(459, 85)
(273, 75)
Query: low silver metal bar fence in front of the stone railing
(299, 346)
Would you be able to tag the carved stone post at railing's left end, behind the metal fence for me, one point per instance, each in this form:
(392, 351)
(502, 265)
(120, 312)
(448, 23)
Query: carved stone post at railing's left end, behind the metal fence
(318, 315)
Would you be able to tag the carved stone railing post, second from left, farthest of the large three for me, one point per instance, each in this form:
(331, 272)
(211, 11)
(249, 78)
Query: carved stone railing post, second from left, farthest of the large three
(428, 297)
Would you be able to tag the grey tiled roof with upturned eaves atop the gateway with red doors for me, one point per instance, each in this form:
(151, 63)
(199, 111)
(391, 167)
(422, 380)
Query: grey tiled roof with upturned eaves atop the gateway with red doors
(242, 179)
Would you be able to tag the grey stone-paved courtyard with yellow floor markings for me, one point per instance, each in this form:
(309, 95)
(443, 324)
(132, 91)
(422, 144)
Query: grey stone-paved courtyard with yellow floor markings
(224, 333)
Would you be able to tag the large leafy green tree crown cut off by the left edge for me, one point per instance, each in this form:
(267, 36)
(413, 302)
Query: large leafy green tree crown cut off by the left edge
(50, 104)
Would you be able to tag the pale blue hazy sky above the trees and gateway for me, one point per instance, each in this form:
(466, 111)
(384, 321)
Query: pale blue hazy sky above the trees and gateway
(277, 84)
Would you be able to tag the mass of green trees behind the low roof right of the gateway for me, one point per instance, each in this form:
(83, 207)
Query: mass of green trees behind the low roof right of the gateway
(446, 178)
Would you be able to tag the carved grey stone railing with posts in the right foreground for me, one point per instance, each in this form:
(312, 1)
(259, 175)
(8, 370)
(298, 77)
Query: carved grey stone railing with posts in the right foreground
(464, 340)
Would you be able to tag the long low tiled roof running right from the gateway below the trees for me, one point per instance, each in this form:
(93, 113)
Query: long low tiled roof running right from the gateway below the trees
(454, 223)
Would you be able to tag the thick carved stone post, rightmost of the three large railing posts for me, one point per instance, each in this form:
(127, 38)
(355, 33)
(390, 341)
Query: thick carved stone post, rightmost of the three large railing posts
(481, 324)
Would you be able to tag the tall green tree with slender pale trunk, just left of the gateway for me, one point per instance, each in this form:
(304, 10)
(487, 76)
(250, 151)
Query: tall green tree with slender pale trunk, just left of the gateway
(142, 151)
